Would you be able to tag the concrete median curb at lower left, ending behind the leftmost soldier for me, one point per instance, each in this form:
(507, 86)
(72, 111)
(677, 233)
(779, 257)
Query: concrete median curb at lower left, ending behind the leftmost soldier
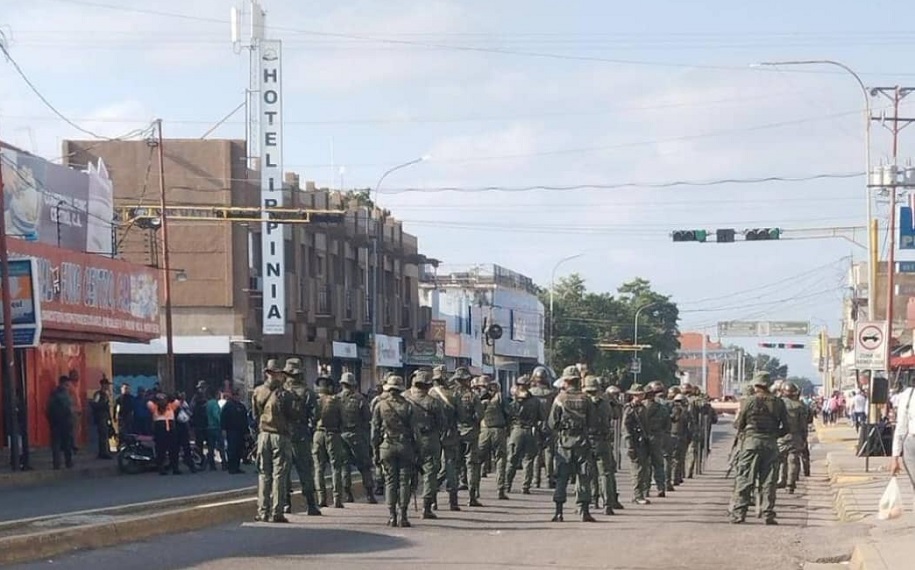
(43, 545)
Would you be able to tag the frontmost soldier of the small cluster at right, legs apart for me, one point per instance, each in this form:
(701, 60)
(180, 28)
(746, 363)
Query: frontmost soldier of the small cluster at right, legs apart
(761, 421)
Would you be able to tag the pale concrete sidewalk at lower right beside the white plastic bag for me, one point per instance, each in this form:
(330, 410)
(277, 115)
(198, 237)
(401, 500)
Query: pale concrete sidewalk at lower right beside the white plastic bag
(888, 545)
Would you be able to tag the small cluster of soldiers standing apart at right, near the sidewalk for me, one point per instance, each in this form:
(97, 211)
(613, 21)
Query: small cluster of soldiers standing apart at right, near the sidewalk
(770, 447)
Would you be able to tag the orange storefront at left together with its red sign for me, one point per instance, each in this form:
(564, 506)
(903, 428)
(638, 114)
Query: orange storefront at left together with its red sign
(86, 301)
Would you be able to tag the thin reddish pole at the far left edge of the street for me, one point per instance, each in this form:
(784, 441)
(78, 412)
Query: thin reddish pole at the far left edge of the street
(10, 377)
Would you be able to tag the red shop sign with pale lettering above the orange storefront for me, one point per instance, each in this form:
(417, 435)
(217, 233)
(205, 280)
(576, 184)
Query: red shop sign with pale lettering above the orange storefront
(91, 297)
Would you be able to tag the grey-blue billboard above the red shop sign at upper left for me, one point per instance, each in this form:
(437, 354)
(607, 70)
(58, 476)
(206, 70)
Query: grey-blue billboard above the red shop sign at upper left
(56, 205)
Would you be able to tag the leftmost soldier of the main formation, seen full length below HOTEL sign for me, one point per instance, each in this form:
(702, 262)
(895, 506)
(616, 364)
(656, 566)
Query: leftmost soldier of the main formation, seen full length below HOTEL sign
(272, 408)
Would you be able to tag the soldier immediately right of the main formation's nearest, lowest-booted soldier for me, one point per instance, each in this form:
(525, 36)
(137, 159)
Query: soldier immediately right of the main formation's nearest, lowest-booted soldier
(429, 422)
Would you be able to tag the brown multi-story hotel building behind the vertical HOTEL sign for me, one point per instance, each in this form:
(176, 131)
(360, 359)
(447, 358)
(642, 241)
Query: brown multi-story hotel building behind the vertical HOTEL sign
(218, 300)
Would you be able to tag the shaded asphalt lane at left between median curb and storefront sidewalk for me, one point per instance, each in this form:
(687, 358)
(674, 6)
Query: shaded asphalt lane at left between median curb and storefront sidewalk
(93, 493)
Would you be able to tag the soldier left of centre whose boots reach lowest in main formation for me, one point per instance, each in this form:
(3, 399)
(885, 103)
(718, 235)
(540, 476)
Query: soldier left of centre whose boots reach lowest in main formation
(393, 443)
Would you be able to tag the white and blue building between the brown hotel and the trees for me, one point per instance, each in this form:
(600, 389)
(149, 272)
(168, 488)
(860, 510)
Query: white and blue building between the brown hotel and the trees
(464, 305)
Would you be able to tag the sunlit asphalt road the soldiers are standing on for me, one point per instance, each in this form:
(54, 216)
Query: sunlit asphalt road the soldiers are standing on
(687, 530)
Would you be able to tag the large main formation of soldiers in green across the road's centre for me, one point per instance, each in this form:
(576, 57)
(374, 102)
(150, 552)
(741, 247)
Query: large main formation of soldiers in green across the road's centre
(441, 430)
